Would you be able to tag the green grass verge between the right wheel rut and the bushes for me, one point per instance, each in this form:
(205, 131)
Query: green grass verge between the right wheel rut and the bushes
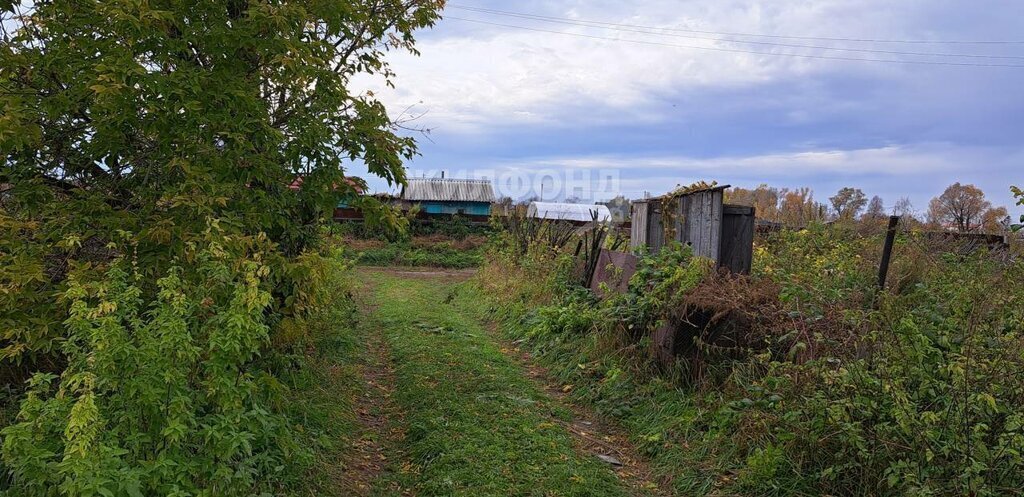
(659, 418)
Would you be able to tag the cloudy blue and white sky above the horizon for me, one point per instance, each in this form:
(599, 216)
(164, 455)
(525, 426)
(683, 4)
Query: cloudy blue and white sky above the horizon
(594, 99)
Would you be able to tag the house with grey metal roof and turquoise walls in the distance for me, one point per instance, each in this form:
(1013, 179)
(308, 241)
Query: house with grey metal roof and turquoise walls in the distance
(448, 196)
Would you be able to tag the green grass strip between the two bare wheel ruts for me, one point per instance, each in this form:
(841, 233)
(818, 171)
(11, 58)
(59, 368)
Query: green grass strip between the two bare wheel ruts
(476, 426)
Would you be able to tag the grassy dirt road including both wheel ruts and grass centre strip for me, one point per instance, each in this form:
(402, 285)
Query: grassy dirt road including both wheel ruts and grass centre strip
(452, 410)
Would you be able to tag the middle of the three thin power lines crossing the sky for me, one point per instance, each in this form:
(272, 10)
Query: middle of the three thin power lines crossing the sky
(646, 31)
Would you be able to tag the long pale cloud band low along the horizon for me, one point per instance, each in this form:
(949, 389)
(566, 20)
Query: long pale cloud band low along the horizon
(916, 172)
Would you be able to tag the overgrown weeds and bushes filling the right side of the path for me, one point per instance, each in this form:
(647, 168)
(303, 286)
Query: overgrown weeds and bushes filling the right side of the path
(821, 386)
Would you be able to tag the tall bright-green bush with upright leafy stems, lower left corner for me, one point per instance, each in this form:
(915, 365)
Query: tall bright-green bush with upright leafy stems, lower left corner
(157, 398)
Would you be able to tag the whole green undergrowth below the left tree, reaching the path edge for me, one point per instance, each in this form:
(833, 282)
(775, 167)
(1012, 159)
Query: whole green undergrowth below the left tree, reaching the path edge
(182, 393)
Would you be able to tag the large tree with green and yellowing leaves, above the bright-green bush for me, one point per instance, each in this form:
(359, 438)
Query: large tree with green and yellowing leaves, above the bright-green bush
(152, 118)
